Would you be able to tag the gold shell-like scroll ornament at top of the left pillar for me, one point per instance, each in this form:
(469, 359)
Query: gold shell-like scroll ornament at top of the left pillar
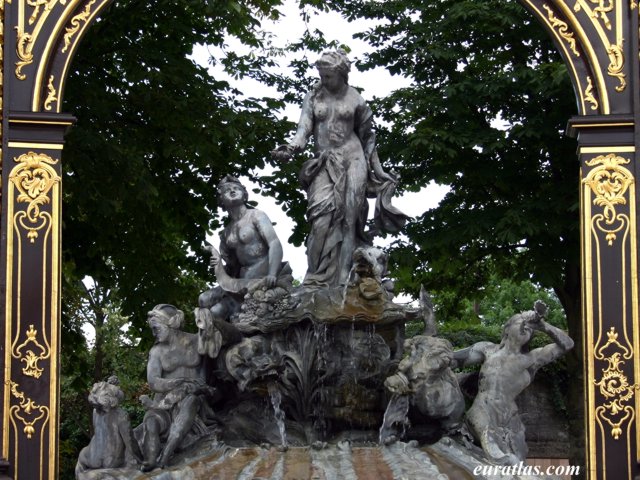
(34, 177)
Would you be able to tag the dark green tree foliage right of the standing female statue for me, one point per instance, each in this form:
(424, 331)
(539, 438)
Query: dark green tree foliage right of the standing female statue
(485, 114)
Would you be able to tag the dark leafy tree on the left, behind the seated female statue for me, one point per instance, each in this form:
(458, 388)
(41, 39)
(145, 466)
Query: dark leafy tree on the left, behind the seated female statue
(155, 133)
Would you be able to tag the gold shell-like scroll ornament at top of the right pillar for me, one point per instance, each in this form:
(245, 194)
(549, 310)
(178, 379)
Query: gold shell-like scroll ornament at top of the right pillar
(609, 181)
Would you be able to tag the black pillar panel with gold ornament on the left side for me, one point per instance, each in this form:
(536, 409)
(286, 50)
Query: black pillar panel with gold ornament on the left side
(32, 332)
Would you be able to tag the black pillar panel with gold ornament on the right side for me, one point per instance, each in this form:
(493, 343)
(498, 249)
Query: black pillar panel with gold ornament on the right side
(610, 309)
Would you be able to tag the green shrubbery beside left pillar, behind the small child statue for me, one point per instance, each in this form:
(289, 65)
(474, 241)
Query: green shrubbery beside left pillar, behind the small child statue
(113, 351)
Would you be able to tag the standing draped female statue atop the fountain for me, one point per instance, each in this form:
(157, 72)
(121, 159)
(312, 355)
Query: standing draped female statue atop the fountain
(344, 171)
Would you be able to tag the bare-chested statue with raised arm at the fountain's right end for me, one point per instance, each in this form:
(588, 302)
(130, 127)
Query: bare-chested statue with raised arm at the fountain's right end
(507, 369)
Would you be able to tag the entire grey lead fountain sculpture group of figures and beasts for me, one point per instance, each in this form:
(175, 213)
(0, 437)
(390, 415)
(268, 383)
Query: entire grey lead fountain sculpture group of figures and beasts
(328, 360)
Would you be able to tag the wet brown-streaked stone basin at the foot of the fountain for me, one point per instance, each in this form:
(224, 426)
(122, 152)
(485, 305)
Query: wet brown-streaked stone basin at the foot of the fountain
(444, 460)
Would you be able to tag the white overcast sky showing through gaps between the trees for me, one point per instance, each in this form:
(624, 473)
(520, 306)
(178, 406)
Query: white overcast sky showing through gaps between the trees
(375, 83)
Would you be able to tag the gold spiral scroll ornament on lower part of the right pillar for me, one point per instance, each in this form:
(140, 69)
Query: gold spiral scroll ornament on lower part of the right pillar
(614, 387)
